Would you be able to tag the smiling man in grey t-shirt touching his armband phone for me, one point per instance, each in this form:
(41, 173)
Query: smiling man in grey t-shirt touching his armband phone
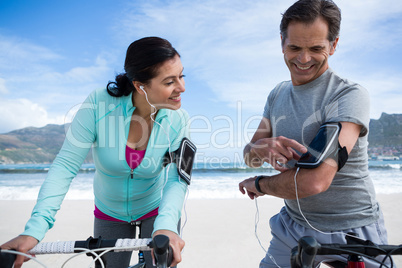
(332, 202)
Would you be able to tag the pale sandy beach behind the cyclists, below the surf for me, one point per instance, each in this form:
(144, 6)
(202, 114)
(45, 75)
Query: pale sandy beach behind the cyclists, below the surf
(218, 232)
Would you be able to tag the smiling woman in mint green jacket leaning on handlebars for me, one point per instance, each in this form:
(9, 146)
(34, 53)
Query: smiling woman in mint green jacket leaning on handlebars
(130, 126)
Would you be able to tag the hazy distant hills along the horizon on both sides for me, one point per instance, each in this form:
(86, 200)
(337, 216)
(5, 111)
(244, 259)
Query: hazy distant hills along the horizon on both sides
(41, 145)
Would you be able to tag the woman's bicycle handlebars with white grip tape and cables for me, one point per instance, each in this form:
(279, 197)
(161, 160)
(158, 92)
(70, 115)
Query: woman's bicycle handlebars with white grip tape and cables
(92, 246)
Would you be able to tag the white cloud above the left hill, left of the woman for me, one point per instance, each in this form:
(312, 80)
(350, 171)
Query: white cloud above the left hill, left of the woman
(39, 90)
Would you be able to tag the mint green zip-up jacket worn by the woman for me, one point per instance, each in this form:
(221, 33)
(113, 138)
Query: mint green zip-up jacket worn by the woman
(103, 123)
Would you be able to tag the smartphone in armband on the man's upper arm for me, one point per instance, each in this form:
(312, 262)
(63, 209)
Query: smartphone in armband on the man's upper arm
(324, 144)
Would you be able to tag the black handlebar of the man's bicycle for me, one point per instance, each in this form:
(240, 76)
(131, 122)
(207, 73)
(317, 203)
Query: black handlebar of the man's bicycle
(303, 255)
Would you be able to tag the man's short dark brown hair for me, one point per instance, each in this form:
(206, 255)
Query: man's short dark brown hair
(307, 11)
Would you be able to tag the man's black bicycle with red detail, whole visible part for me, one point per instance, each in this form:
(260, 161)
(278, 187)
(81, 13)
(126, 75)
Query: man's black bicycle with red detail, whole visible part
(303, 255)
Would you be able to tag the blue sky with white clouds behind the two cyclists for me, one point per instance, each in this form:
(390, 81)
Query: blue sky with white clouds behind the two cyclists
(54, 53)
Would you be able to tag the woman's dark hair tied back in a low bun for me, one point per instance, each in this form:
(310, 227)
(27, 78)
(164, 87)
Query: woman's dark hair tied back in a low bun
(143, 59)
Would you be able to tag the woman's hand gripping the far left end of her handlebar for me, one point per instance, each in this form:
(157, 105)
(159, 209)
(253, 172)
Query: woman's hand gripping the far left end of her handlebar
(21, 243)
